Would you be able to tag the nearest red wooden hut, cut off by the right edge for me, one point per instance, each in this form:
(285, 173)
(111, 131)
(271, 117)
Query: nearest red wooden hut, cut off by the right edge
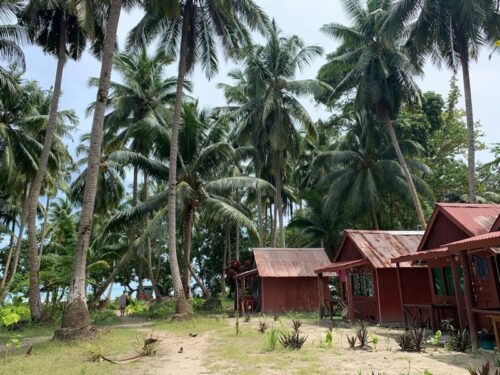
(457, 276)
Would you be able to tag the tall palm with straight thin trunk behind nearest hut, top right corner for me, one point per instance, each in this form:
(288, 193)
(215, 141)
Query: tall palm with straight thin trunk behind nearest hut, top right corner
(452, 32)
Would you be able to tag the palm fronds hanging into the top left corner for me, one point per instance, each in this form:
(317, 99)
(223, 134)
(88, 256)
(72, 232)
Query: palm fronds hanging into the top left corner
(11, 35)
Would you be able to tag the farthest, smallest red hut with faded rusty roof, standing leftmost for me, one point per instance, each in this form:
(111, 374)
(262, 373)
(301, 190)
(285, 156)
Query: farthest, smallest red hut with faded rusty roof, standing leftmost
(281, 280)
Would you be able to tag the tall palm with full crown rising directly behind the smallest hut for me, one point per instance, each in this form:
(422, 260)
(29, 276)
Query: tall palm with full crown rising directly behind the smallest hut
(271, 71)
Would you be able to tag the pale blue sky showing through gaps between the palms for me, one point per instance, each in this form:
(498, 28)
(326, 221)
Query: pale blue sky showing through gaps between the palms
(300, 17)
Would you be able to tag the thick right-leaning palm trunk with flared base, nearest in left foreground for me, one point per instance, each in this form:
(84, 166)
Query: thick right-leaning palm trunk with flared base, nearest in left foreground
(76, 314)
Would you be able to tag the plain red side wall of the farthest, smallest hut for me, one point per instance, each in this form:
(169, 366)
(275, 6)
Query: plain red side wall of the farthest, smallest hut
(282, 294)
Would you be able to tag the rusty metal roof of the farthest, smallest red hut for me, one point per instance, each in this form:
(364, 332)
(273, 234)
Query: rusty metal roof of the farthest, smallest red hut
(286, 262)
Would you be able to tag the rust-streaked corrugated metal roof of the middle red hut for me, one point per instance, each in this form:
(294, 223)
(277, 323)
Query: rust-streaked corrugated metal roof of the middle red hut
(379, 247)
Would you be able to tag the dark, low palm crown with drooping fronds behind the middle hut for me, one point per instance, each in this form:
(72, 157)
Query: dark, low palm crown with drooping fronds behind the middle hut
(362, 170)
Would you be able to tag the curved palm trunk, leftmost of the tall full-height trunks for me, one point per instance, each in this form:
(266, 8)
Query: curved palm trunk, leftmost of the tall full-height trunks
(36, 186)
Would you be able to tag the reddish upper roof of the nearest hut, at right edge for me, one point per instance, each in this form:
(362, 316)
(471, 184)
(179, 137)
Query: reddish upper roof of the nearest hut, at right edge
(475, 218)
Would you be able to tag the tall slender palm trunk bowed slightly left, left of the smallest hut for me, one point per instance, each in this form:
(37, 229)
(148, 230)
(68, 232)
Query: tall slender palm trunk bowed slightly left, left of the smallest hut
(182, 307)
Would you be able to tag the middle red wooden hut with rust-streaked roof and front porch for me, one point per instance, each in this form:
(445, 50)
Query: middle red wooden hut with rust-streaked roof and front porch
(368, 279)
